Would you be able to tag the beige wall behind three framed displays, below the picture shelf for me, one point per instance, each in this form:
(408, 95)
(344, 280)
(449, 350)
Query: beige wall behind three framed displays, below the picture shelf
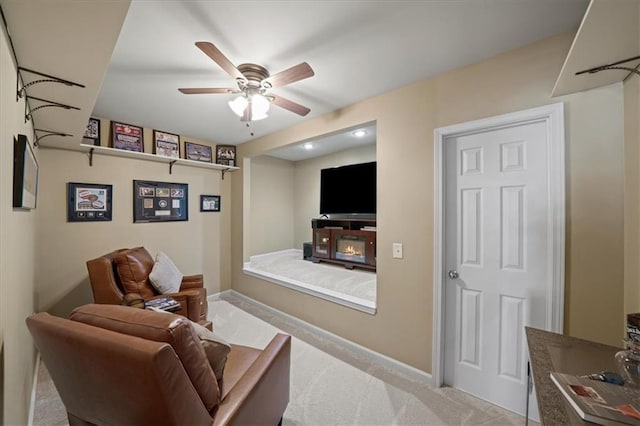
(198, 245)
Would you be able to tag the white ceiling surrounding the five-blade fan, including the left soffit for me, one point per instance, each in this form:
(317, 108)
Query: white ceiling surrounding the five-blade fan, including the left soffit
(358, 49)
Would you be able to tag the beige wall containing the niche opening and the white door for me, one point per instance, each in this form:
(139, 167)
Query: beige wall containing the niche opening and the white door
(406, 118)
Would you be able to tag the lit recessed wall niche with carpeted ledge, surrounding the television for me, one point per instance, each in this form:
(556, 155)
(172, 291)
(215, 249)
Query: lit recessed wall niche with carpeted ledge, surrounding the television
(282, 210)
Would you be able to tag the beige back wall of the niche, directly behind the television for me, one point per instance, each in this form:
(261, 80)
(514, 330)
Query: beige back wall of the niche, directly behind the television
(307, 186)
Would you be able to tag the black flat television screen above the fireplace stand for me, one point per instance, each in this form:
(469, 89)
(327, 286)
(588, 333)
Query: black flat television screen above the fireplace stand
(348, 189)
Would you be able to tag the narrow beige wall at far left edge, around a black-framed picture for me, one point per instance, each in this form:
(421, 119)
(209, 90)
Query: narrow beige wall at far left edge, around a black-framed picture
(17, 255)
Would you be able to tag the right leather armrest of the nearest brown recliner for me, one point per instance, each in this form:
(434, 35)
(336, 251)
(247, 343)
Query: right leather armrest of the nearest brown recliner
(261, 395)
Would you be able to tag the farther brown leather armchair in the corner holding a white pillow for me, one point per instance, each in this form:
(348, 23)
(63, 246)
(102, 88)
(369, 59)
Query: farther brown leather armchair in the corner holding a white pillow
(126, 271)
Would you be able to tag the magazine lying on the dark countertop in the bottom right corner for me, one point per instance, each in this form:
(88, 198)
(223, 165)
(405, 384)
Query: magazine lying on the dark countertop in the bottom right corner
(600, 402)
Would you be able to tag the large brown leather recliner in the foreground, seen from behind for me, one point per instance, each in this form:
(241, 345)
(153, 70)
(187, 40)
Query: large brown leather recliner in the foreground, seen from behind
(118, 365)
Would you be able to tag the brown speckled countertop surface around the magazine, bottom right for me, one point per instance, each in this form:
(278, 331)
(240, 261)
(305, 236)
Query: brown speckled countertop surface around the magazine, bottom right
(555, 352)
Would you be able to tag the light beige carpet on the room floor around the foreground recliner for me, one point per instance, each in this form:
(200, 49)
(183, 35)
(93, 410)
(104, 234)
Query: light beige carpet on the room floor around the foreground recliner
(330, 385)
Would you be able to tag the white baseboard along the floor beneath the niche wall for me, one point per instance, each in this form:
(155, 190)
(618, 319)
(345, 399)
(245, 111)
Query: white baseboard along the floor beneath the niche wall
(387, 361)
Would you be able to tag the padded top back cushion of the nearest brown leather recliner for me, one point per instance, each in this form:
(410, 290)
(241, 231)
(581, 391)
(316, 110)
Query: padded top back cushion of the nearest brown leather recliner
(172, 329)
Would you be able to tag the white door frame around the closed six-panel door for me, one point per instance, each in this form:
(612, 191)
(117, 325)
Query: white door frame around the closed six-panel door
(553, 116)
